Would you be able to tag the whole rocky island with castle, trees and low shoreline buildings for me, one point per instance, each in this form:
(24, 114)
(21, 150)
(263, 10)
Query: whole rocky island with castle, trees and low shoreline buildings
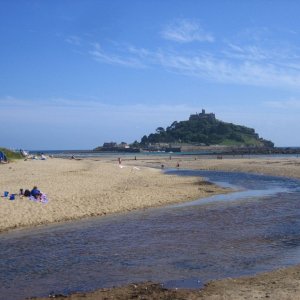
(201, 131)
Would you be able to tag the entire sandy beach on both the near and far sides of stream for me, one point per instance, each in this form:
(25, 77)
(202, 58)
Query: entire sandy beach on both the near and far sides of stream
(90, 187)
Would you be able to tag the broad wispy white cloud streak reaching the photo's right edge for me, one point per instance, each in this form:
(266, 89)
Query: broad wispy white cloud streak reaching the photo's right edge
(227, 71)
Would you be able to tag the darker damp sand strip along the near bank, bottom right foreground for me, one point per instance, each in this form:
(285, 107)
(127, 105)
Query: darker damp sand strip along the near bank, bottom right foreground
(282, 284)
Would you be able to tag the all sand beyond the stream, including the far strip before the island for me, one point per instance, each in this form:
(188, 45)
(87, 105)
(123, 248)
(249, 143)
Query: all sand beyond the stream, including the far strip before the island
(95, 187)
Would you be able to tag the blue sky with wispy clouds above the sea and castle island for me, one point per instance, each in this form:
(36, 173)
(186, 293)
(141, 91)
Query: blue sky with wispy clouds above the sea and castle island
(77, 73)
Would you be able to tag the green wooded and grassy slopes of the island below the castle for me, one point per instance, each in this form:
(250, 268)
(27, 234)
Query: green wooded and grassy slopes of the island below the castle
(206, 131)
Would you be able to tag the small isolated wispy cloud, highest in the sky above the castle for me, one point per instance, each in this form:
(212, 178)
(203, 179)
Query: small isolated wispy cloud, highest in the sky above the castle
(186, 31)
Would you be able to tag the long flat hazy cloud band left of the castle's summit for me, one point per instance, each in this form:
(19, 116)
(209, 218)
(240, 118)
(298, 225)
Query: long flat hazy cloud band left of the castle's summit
(64, 110)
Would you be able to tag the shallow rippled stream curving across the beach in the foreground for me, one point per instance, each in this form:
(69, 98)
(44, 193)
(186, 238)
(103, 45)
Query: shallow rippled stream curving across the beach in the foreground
(256, 229)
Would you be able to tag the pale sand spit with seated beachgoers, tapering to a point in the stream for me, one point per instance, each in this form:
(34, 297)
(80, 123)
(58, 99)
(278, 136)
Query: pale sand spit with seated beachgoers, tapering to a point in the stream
(83, 188)
